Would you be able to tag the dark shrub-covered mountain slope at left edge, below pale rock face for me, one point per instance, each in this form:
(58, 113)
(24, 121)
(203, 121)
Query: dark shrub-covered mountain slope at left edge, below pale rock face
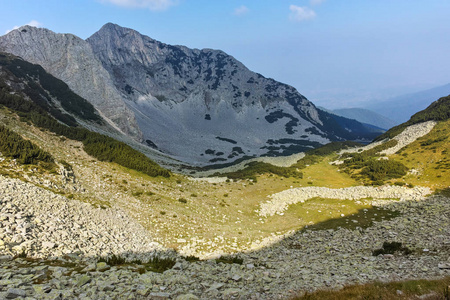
(40, 99)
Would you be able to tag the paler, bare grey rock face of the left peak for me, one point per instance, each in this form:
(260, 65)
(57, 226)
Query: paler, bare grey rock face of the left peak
(71, 59)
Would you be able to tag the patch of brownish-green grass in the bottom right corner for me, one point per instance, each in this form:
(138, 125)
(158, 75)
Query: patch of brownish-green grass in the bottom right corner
(412, 289)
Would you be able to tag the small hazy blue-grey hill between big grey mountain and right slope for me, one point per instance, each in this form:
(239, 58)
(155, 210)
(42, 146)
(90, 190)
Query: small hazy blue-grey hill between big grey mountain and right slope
(365, 116)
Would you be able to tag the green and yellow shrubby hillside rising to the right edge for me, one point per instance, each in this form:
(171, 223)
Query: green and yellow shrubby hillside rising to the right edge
(370, 166)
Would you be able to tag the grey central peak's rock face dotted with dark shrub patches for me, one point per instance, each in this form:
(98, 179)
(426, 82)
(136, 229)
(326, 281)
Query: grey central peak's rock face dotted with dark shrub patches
(203, 105)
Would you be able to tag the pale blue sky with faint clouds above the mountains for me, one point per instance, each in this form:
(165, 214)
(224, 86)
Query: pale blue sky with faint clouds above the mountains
(336, 53)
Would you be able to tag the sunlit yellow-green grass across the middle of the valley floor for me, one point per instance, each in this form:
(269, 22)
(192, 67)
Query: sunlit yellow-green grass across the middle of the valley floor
(177, 209)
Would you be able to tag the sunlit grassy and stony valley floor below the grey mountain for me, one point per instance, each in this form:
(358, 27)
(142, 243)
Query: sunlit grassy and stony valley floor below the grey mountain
(330, 235)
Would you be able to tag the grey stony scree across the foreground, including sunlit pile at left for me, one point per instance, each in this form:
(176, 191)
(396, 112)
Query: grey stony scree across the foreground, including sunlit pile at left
(65, 238)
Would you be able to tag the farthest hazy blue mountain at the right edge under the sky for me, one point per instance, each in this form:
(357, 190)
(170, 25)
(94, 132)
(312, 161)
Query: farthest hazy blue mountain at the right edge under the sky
(401, 108)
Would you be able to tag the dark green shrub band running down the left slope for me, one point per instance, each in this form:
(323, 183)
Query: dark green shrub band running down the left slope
(40, 113)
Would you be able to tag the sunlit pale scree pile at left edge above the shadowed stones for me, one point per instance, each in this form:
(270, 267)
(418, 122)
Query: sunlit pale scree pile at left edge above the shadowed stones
(44, 224)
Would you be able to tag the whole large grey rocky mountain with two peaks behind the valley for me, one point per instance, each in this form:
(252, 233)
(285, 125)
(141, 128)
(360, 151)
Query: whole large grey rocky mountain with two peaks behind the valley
(198, 106)
